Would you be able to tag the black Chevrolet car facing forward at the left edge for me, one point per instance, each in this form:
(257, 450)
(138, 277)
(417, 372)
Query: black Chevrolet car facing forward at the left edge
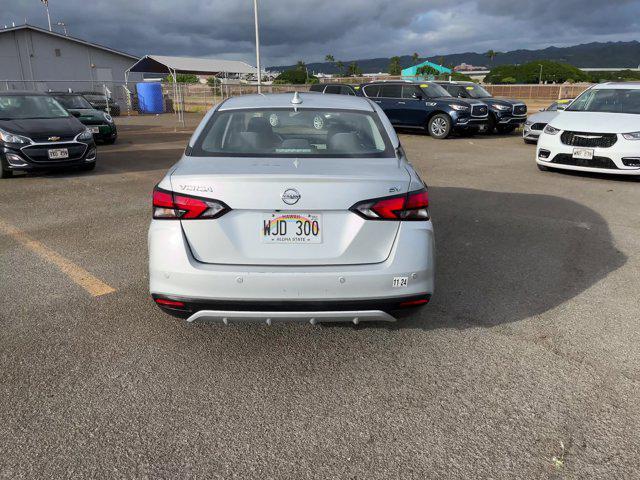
(36, 132)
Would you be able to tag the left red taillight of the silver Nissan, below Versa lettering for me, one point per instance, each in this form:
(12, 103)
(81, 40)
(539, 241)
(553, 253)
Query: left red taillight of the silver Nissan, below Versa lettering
(174, 206)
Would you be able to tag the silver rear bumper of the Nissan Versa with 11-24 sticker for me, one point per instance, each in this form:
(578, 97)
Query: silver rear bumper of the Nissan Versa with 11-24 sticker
(175, 275)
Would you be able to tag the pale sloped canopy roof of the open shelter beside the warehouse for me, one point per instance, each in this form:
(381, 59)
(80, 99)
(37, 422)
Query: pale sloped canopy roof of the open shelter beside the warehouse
(212, 66)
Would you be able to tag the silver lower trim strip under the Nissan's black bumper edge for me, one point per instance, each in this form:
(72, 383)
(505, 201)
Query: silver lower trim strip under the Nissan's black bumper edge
(227, 317)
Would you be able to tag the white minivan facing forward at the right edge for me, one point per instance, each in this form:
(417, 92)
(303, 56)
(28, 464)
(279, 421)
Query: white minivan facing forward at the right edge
(599, 132)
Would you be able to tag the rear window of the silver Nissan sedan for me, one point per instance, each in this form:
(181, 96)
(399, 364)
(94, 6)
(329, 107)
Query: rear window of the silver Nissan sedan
(287, 133)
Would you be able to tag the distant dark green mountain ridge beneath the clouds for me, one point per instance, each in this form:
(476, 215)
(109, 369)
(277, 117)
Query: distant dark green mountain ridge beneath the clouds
(594, 55)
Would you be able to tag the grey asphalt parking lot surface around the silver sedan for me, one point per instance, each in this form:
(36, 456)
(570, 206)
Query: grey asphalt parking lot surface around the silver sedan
(525, 364)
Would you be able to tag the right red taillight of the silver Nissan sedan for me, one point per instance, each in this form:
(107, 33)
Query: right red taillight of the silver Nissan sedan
(408, 206)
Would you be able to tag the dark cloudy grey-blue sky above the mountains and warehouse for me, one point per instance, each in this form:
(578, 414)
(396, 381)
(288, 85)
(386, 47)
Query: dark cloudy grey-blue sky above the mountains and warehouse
(309, 29)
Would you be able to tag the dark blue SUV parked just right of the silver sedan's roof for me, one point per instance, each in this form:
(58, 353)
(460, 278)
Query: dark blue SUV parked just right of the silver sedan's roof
(427, 106)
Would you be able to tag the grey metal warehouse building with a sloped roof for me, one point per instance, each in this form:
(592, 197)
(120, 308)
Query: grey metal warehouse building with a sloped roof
(32, 58)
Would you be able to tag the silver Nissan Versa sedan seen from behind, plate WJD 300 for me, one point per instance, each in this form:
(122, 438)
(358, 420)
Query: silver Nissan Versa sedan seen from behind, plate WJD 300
(290, 222)
